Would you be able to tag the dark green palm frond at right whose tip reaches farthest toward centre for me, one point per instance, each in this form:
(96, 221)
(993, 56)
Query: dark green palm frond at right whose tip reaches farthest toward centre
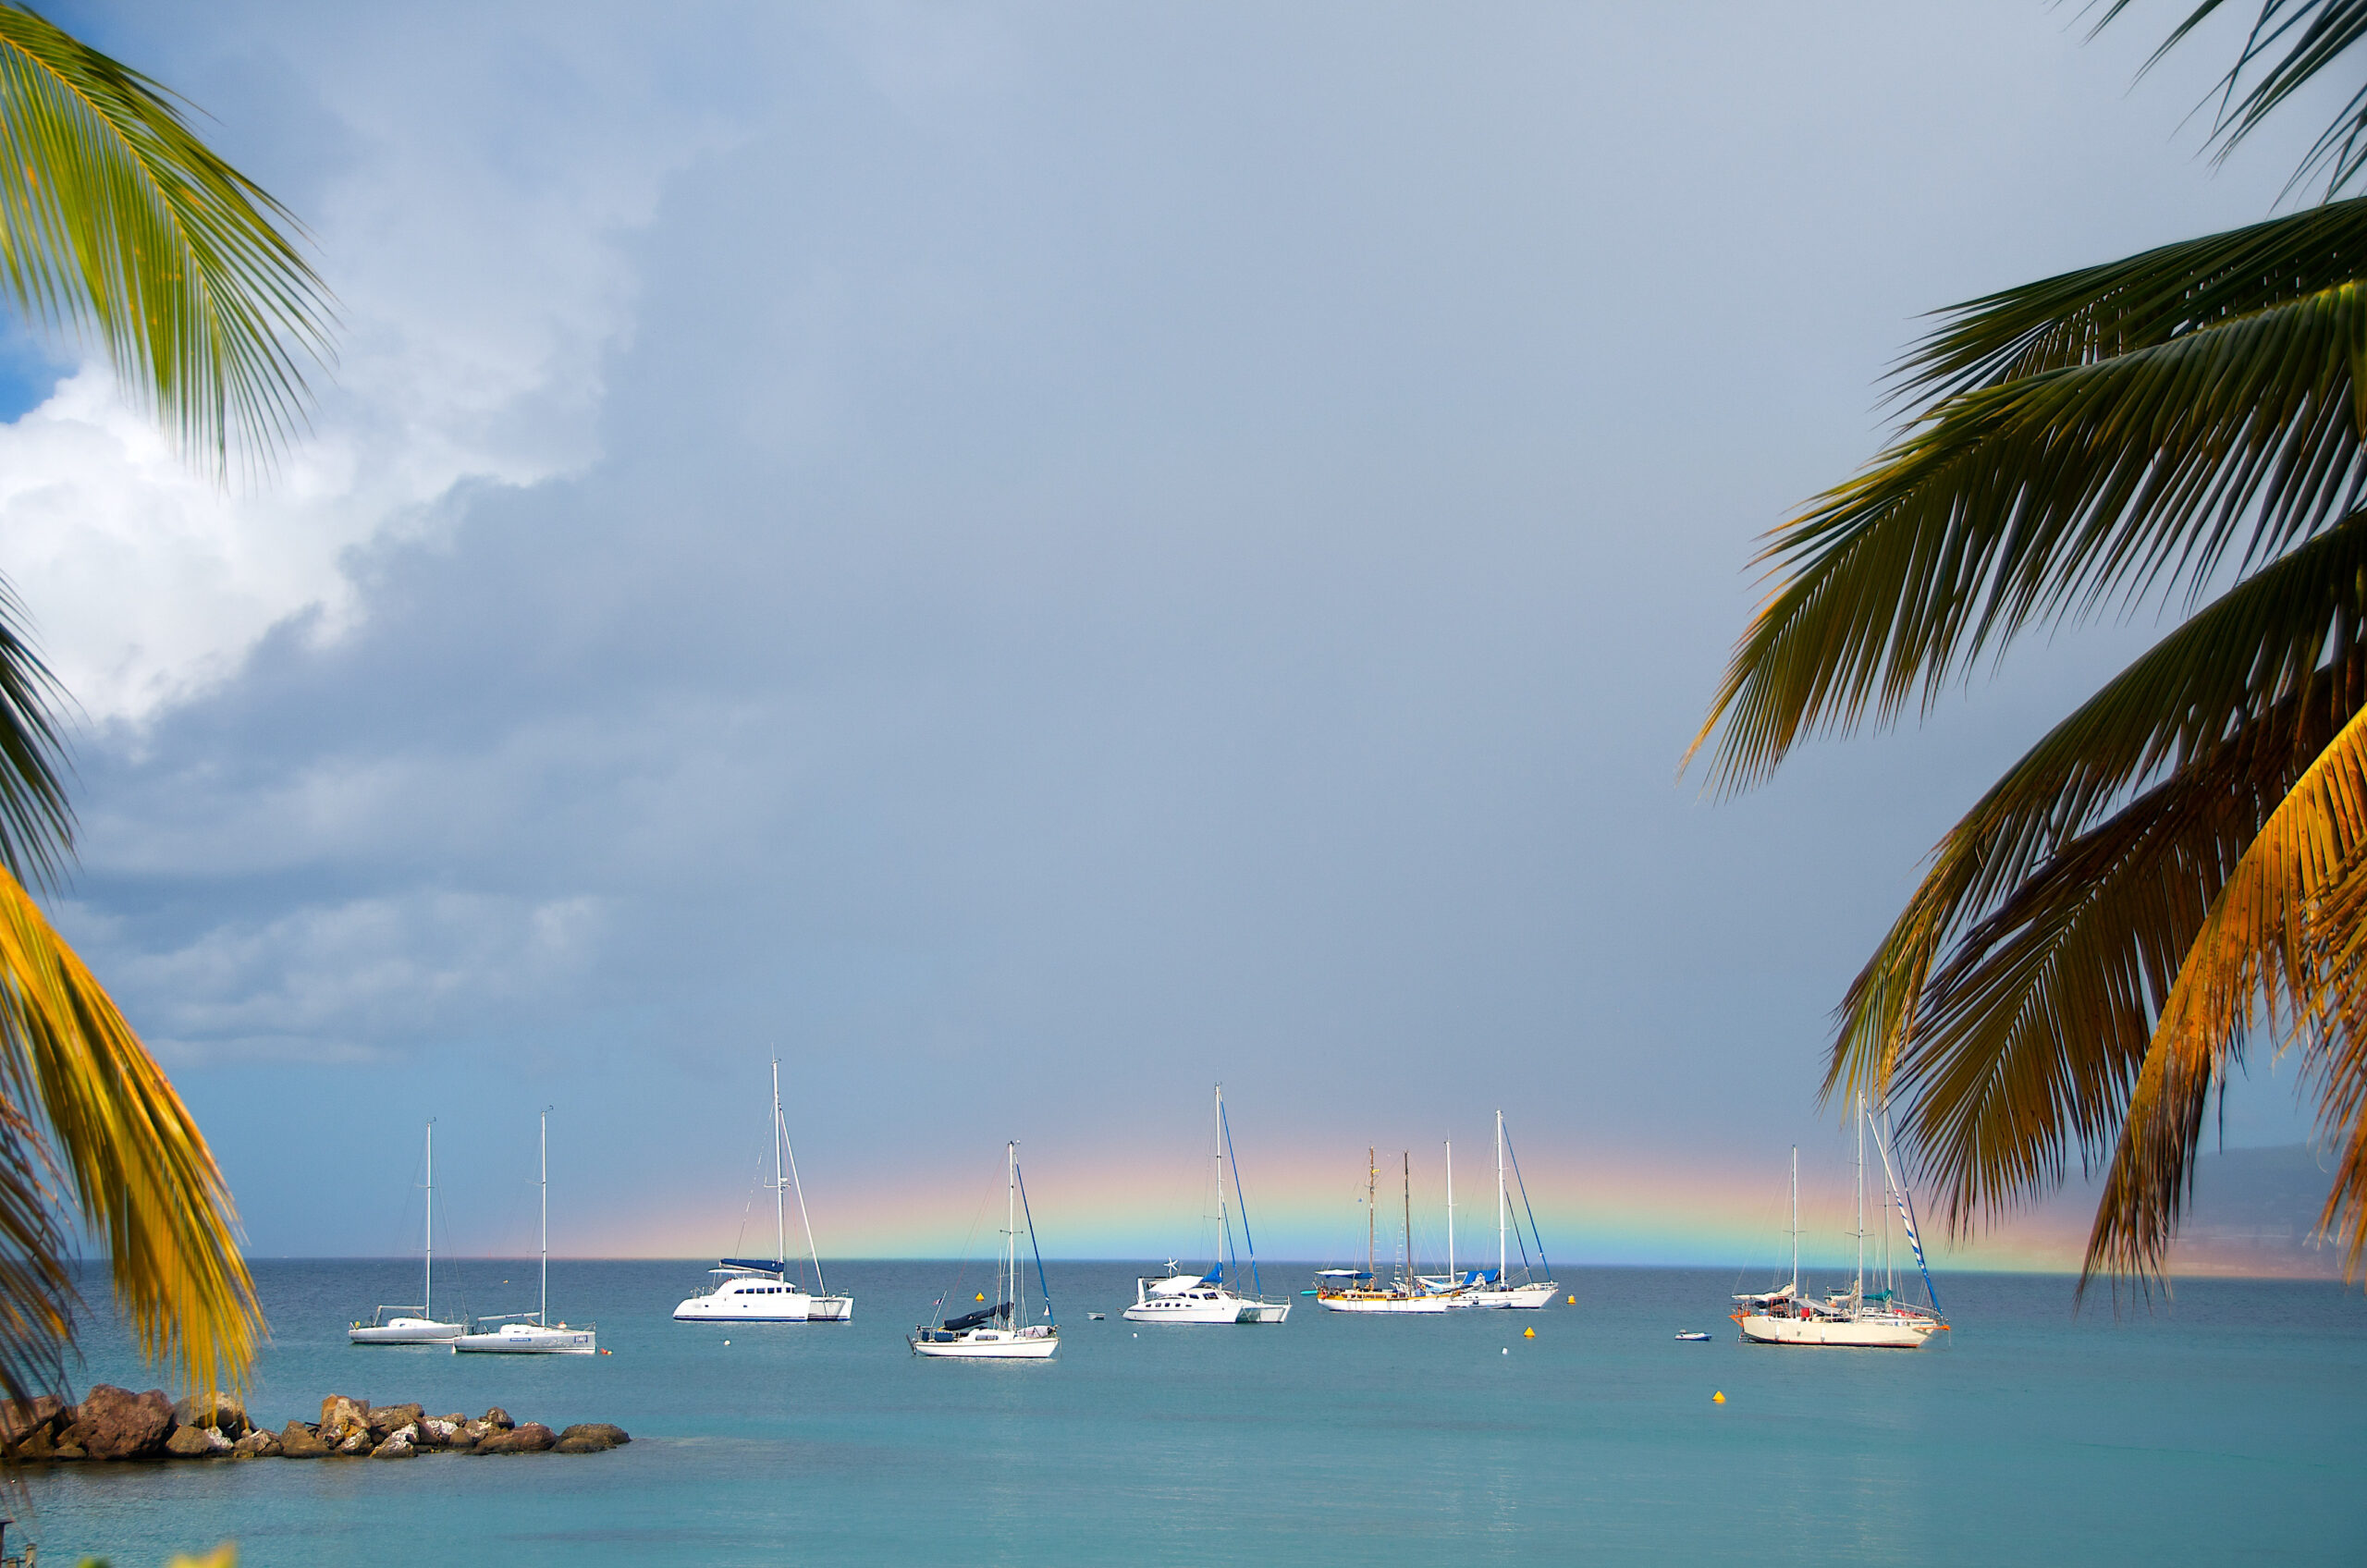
(2044, 499)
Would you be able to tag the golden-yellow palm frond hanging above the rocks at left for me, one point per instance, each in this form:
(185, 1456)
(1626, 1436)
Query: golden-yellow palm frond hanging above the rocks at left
(131, 1157)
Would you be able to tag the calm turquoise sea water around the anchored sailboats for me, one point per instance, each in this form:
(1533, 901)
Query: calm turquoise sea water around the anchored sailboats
(2229, 1429)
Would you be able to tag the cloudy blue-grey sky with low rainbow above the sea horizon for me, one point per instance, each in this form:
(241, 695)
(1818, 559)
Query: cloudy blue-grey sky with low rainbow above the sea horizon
(1031, 560)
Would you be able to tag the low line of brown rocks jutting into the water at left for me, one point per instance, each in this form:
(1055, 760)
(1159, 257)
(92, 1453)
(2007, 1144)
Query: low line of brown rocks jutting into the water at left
(122, 1425)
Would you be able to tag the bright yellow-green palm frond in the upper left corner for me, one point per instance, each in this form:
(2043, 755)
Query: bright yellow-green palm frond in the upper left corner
(120, 219)
